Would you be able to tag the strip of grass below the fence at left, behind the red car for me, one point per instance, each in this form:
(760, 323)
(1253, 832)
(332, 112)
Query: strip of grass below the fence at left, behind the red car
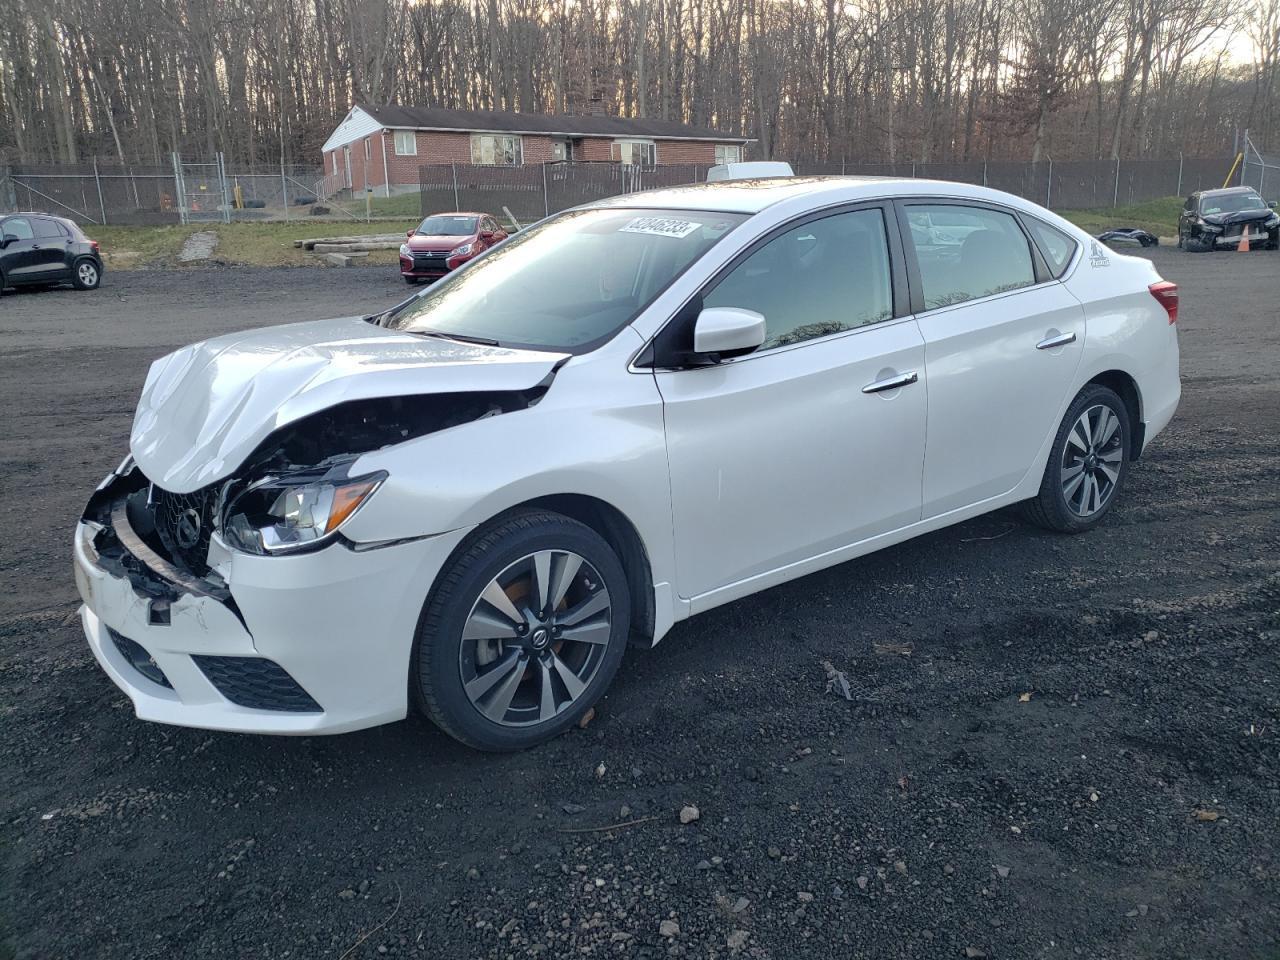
(253, 244)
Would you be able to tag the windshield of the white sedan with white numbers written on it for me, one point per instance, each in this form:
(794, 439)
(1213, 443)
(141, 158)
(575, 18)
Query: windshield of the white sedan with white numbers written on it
(568, 284)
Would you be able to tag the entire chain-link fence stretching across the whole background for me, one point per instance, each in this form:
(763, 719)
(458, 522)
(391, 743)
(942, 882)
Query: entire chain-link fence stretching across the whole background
(209, 190)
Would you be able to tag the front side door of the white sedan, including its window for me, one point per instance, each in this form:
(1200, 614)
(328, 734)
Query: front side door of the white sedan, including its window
(807, 445)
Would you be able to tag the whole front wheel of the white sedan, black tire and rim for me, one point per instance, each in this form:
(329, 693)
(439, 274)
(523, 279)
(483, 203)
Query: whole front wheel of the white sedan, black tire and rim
(523, 634)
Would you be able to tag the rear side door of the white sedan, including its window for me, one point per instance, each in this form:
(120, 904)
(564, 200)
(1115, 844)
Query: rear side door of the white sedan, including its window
(1003, 342)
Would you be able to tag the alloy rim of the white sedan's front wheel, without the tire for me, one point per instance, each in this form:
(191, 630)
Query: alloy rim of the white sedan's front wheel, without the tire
(536, 638)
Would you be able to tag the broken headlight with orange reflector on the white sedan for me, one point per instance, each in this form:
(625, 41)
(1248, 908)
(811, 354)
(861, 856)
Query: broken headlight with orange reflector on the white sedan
(287, 515)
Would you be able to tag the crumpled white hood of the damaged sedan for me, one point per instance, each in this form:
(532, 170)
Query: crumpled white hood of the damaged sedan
(208, 406)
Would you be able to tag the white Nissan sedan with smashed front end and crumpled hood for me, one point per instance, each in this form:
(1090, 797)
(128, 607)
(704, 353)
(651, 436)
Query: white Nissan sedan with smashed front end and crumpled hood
(623, 417)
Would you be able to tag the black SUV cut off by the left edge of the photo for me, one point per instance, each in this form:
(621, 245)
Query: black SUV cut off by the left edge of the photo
(42, 250)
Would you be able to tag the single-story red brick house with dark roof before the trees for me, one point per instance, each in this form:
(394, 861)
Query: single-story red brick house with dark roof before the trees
(381, 148)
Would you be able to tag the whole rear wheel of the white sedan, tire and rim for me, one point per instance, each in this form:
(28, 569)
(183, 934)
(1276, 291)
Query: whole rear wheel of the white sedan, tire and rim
(1087, 467)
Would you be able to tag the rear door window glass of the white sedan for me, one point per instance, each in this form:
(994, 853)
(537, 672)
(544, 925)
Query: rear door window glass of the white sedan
(968, 253)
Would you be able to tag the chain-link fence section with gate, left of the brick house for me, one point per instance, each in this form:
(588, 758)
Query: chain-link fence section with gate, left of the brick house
(181, 191)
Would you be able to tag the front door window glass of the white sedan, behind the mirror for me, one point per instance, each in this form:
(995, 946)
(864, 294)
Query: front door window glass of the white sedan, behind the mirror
(816, 280)
